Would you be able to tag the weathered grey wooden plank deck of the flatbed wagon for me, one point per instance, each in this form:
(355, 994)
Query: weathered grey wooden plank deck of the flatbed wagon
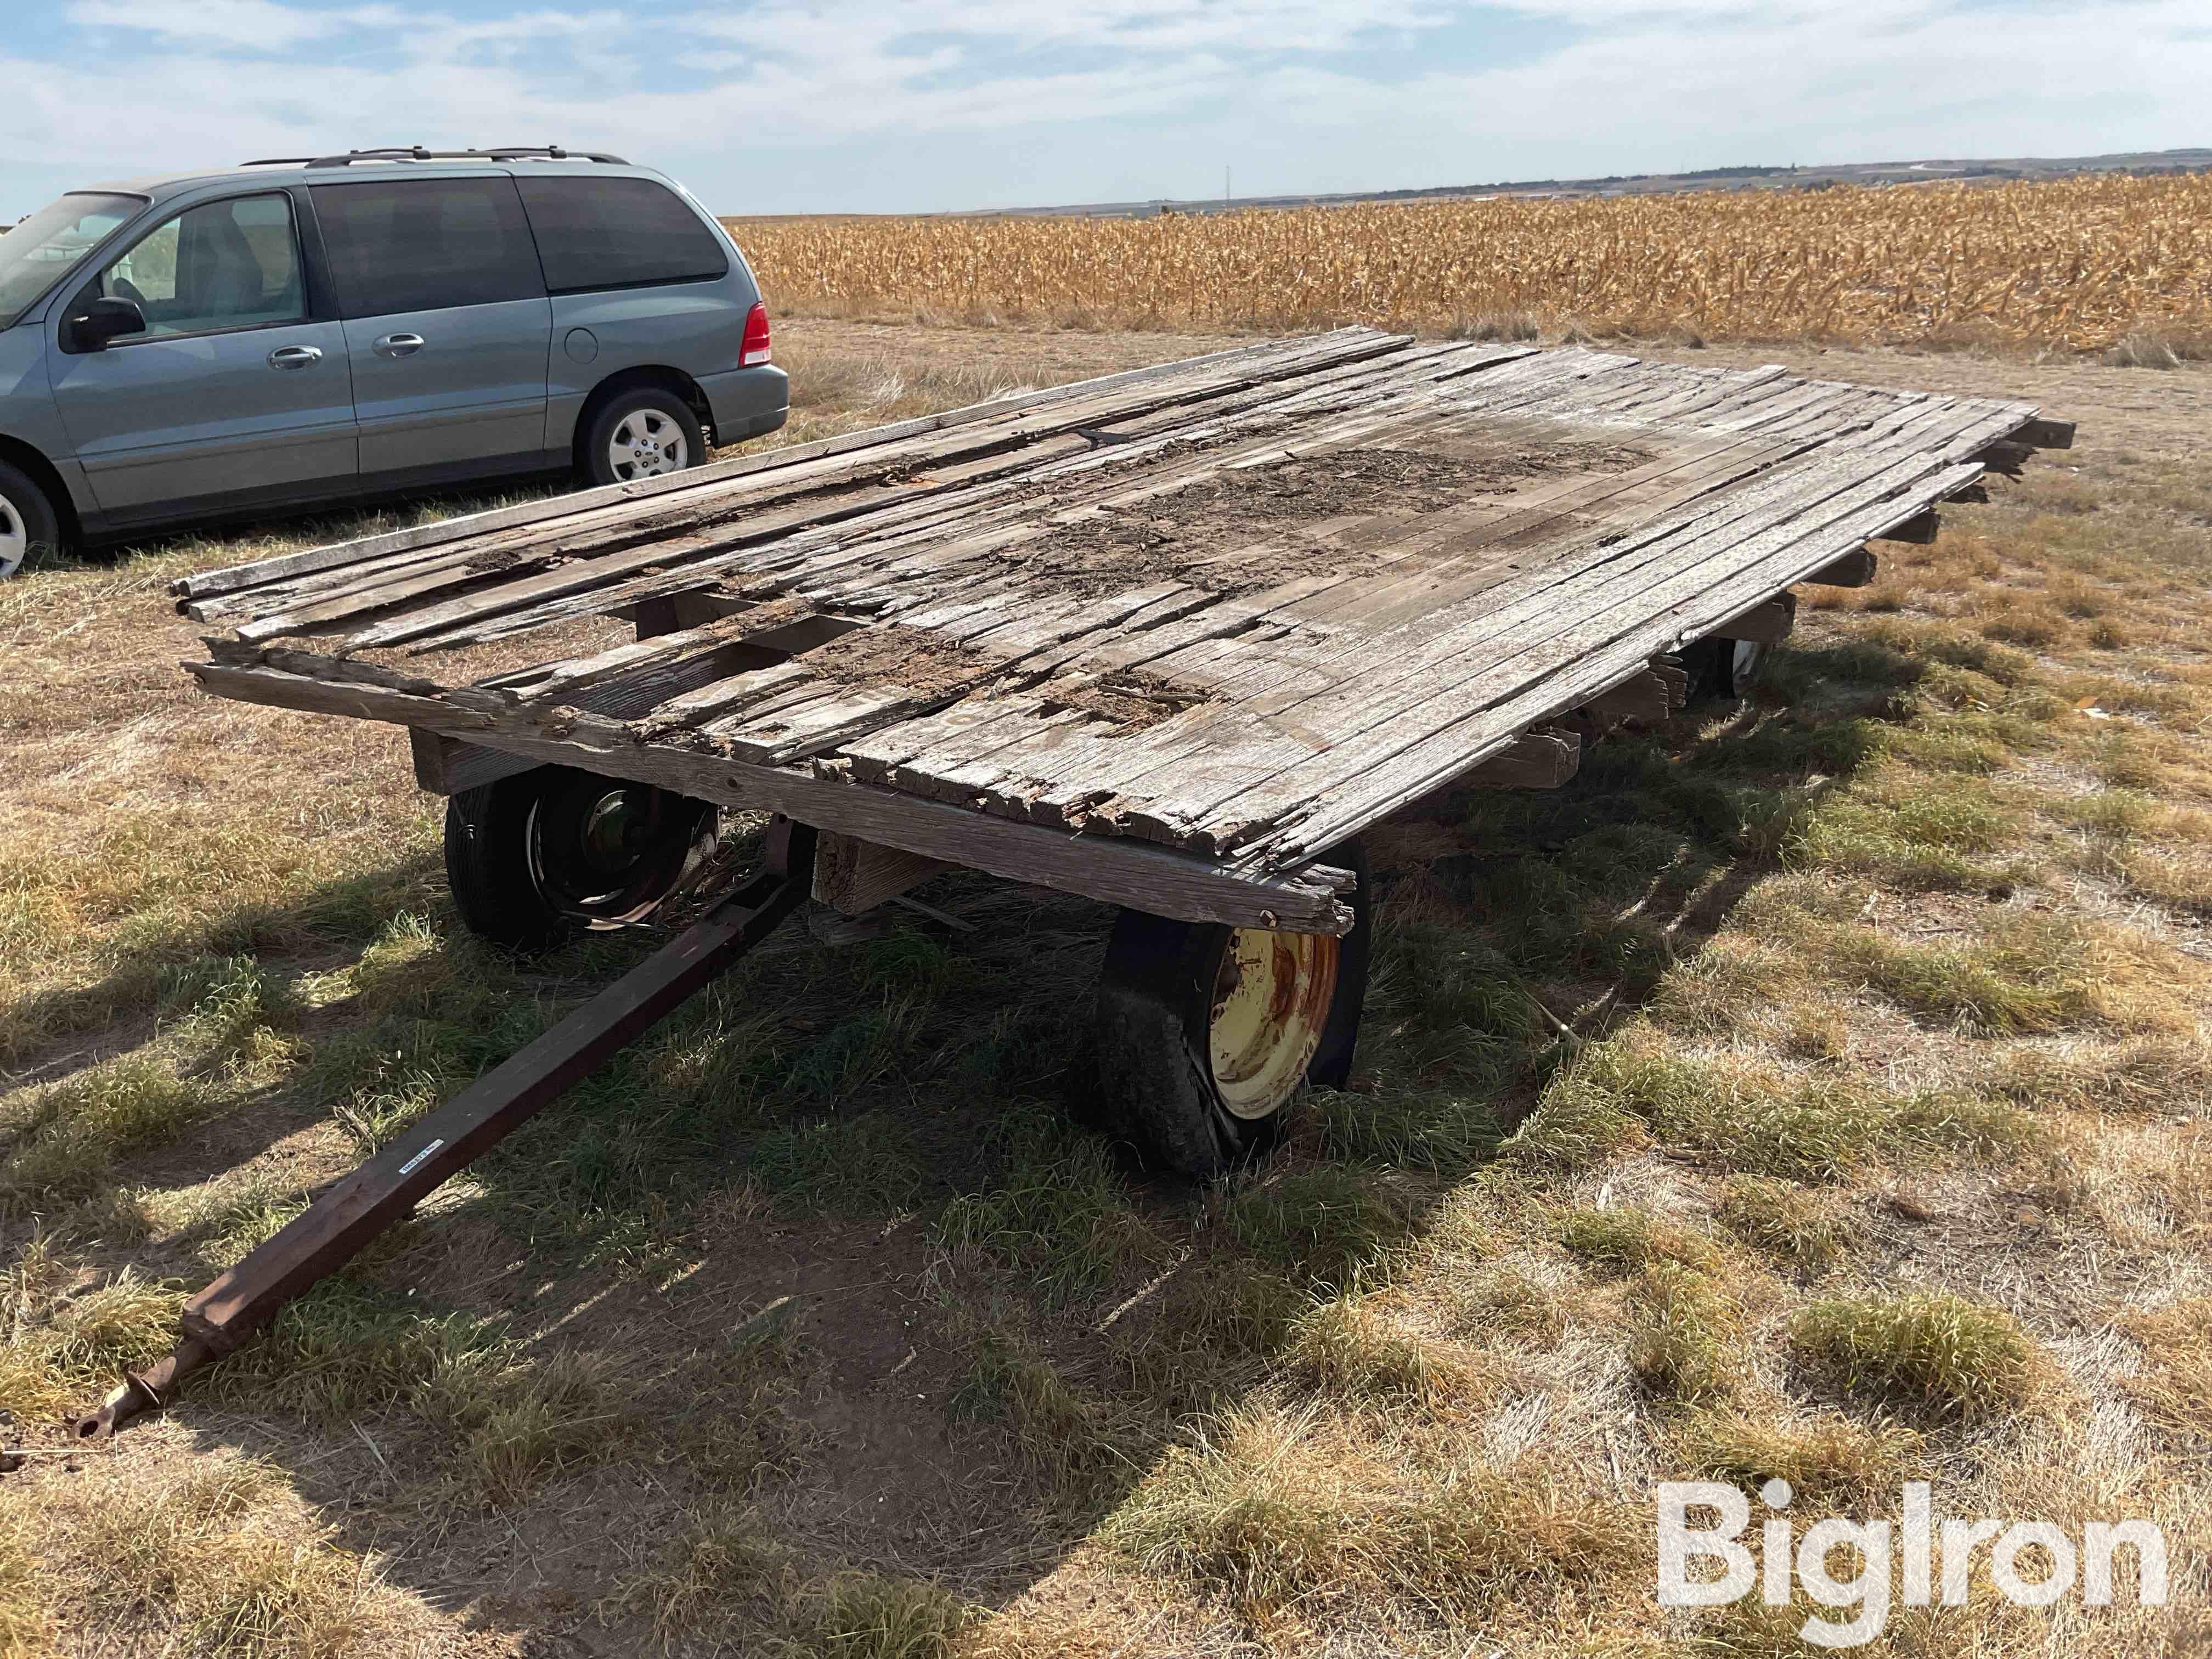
(1162, 638)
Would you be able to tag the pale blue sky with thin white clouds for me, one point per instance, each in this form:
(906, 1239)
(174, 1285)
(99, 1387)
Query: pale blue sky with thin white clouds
(943, 105)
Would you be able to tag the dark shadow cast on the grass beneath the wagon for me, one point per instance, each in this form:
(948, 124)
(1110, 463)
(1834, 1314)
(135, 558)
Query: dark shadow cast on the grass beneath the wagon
(828, 1249)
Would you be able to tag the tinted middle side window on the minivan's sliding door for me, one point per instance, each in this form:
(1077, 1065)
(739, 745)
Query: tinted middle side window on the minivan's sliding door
(426, 244)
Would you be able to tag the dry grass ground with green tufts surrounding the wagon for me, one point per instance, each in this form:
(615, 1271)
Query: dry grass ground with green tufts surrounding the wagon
(1815, 1089)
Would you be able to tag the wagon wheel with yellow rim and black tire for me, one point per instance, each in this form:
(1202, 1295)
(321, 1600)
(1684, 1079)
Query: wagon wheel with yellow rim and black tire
(1204, 1034)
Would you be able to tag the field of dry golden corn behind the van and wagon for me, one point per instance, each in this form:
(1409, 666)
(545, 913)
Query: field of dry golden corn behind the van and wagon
(2074, 264)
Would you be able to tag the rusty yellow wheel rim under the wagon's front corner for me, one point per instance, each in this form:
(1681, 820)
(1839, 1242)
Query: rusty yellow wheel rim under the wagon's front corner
(1271, 1005)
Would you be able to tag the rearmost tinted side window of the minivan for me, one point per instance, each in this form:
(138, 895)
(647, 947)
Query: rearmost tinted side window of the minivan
(618, 233)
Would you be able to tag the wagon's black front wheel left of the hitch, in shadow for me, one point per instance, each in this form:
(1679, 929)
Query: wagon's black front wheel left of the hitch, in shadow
(543, 855)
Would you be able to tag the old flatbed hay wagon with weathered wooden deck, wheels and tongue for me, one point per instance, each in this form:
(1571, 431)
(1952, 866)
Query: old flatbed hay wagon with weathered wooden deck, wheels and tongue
(1169, 638)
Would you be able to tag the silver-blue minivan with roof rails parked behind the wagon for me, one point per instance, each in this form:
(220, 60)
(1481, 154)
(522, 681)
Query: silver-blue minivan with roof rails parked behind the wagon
(333, 328)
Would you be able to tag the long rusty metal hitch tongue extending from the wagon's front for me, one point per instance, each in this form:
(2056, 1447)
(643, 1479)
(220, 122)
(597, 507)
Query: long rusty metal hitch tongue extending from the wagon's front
(340, 1224)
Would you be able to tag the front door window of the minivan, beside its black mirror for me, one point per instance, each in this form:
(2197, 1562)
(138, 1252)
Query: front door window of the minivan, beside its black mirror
(225, 264)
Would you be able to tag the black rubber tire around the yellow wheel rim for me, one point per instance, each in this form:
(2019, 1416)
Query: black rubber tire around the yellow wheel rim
(1151, 1074)
